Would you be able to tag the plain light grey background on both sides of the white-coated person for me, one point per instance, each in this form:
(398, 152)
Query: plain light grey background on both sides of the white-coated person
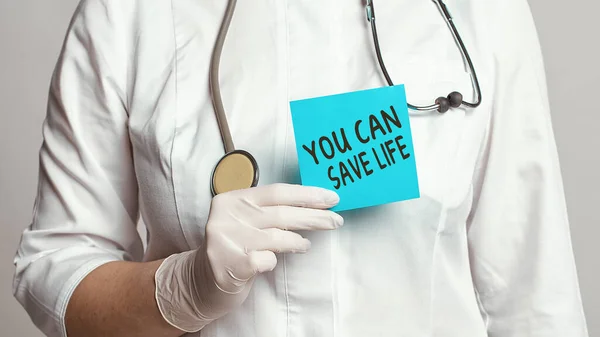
(31, 33)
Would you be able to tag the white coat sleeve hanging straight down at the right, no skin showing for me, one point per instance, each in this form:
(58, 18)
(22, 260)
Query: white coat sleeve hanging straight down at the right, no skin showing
(519, 238)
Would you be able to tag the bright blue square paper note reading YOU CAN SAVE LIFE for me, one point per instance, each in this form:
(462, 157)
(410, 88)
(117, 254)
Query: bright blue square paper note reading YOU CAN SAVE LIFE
(358, 144)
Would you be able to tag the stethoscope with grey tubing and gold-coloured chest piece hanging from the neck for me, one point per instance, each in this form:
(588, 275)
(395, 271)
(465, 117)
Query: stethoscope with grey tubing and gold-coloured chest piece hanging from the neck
(238, 169)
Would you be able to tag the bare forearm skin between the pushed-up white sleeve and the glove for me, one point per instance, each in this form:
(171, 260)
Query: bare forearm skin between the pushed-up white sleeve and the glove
(118, 299)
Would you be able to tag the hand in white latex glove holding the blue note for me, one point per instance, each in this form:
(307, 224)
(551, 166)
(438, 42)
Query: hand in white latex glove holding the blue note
(245, 229)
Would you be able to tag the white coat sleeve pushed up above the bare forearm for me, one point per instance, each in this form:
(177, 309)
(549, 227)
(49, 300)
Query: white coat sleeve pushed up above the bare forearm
(86, 209)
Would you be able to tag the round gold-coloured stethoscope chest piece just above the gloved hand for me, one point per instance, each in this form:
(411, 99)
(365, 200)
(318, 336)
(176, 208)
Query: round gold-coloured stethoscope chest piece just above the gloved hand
(235, 171)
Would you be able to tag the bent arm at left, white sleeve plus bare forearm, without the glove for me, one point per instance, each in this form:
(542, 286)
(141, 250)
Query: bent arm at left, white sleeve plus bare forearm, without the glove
(84, 223)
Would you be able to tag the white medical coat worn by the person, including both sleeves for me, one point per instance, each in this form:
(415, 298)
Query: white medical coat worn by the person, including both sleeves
(131, 130)
